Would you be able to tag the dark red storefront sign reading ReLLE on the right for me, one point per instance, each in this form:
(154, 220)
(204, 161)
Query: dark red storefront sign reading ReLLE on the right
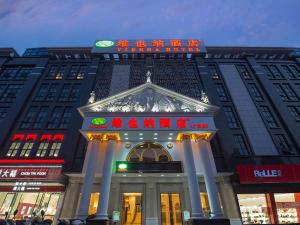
(269, 174)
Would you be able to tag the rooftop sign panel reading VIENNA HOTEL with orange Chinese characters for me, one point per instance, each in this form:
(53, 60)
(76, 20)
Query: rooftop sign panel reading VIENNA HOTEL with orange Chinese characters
(150, 46)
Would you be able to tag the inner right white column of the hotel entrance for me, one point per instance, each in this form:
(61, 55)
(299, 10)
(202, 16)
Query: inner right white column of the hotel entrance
(197, 211)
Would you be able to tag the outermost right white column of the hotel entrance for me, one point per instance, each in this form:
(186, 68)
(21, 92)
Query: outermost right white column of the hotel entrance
(209, 178)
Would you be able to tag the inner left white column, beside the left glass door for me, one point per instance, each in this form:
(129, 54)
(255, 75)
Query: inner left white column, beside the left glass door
(106, 181)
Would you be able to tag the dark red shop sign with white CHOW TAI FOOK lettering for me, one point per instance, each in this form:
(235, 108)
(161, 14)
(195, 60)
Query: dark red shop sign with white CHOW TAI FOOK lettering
(29, 173)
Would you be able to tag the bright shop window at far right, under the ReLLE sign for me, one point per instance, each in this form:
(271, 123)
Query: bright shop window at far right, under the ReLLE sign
(288, 207)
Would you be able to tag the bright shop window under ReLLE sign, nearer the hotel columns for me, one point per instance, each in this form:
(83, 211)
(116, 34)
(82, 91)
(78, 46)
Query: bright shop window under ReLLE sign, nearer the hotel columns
(254, 208)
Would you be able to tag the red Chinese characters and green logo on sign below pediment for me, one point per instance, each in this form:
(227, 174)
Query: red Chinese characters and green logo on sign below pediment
(178, 123)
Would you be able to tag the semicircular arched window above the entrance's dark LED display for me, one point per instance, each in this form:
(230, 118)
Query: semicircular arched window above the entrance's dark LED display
(149, 152)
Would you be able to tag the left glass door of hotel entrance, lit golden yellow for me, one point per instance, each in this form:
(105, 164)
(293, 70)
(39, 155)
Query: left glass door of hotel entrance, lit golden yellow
(132, 209)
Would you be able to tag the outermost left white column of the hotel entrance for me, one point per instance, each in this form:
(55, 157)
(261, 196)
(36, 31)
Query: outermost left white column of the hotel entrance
(86, 189)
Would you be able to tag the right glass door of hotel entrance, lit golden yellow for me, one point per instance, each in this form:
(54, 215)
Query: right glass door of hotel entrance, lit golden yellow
(170, 209)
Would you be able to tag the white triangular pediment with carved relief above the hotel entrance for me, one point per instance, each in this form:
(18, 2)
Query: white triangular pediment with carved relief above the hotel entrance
(148, 97)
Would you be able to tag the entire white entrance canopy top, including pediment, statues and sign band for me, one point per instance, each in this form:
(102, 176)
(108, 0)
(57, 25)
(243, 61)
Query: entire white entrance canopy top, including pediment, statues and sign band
(147, 112)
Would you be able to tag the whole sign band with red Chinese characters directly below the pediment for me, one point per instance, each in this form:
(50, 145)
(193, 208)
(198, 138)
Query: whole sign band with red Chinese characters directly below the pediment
(149, 123)
